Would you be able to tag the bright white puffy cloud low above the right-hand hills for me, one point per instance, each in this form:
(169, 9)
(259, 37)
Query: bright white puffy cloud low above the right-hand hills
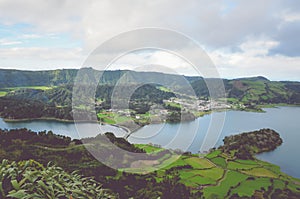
(254, 60)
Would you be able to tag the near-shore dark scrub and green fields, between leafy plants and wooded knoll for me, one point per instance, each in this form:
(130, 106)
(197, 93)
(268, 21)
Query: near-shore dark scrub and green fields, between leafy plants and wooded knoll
(216, 175)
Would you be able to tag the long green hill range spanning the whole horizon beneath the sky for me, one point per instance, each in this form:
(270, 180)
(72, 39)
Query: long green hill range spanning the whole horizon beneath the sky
(250, 90)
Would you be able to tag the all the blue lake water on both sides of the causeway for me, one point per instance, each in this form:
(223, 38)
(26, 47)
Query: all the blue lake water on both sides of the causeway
(189, 136)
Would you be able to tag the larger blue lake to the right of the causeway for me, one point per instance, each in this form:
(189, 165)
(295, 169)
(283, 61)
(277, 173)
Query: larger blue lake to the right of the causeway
(189, 135)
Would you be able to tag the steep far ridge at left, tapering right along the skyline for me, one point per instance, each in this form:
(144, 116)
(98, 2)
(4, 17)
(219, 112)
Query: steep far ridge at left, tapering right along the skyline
(17, 78)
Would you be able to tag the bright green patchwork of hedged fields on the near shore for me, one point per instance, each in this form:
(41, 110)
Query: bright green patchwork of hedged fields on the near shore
(218, 175)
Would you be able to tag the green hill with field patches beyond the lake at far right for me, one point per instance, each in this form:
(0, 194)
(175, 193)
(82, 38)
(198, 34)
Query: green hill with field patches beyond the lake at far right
(256, 90)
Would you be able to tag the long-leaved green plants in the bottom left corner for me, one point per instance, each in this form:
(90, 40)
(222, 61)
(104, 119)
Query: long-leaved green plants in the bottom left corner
(30, 179)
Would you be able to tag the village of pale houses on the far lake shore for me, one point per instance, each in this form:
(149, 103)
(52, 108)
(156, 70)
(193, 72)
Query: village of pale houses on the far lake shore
(189, 109)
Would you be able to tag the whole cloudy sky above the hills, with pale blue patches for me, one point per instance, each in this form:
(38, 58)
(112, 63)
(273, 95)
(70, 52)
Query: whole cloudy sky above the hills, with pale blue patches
(242, 38)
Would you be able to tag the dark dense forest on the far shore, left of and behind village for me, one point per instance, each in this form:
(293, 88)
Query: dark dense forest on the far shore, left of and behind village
(56, 103)
